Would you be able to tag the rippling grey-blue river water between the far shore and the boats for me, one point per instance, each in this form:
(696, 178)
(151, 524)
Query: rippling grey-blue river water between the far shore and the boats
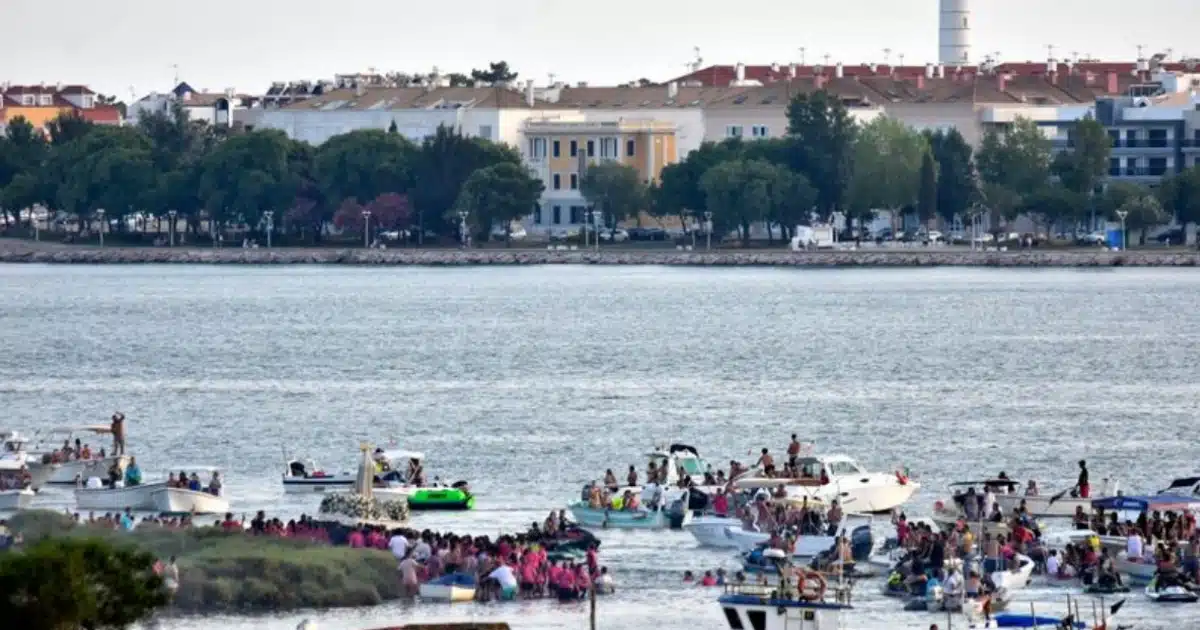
(530, 382)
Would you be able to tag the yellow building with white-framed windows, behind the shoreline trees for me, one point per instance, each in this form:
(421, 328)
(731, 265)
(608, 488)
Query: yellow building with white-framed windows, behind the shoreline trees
(561, 151)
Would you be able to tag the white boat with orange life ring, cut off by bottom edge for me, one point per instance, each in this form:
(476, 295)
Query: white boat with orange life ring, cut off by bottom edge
(784, 608)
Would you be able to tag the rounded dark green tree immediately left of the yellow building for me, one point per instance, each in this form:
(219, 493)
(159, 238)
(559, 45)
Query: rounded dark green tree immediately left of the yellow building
(497, 196)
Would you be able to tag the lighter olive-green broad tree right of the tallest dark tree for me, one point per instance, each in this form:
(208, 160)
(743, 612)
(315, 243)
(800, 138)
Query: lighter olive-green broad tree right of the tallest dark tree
(887, 170)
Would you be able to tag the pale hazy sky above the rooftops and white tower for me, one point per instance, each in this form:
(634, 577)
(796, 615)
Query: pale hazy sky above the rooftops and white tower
(125, 47)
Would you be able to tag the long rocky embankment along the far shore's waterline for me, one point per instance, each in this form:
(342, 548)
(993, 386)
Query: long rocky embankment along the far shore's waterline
(46, 254)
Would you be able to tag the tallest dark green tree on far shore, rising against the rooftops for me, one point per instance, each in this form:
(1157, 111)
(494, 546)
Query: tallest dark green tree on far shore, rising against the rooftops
(823, 135)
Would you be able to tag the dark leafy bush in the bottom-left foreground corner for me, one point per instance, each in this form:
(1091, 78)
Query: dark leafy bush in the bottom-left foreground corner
(73, 584)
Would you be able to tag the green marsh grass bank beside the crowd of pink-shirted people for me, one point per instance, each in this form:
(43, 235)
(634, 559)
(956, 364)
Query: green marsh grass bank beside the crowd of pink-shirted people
(225, 572)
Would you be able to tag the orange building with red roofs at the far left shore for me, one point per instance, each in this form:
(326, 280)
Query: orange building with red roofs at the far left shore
(43, 104)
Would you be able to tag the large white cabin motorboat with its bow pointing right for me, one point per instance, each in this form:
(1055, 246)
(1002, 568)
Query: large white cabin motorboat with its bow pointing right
(853, 485)
